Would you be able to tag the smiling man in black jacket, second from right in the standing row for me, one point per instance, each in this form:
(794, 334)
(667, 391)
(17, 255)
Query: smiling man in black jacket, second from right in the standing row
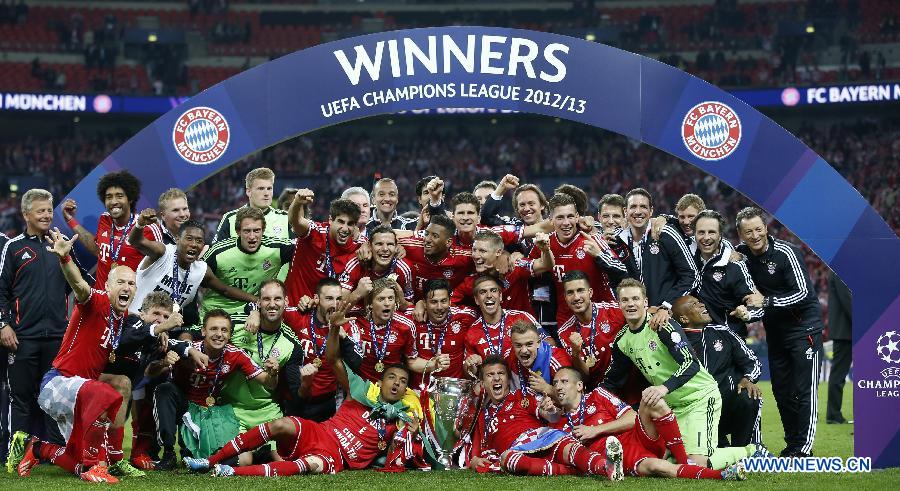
(724, 285)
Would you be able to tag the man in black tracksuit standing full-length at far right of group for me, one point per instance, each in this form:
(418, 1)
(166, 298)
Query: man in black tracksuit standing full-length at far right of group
(793, 320)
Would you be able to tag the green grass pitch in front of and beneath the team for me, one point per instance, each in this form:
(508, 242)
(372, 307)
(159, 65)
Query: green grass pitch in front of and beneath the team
(831, 440)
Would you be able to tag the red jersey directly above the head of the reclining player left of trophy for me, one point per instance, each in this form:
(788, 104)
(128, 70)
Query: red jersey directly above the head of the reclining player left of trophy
(399, 344)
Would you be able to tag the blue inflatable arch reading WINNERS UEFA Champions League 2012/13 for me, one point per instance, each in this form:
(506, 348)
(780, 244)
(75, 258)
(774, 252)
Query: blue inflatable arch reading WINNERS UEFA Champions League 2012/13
(557, 76)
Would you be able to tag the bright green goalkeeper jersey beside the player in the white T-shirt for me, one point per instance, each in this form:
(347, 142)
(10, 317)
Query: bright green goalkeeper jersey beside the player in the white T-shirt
(243, 270)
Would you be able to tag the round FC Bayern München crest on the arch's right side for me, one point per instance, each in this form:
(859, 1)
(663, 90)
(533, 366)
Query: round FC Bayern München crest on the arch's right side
(711, 130)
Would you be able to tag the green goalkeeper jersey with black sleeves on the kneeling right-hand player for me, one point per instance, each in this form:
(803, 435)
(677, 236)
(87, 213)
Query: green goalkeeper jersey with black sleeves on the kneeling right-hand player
(664, 357)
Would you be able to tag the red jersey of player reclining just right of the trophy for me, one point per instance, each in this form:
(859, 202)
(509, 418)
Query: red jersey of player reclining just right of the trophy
(499, 425)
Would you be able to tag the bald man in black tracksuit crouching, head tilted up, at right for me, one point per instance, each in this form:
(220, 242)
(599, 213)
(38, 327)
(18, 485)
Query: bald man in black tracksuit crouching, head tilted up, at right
(736, 369)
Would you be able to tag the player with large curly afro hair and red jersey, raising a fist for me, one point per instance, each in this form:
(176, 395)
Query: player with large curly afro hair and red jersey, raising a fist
(119, 192)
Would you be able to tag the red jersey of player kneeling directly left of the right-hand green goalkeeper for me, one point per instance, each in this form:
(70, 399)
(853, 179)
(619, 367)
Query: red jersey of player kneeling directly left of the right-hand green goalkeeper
(607, 320)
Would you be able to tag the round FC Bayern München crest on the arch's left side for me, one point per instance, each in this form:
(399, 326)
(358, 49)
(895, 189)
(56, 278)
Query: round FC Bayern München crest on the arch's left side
(201, 135)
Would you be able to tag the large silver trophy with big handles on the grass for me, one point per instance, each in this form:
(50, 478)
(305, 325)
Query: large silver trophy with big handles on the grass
(455, 408)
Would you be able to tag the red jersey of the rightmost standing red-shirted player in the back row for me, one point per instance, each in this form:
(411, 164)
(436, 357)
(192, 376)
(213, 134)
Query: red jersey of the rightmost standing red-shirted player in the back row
(571, 257)
